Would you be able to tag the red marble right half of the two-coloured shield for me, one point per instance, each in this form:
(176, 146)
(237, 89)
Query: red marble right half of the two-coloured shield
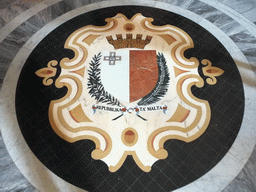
(143, 73)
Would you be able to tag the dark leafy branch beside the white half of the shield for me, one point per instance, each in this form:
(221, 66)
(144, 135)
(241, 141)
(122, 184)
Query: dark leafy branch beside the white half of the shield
(95, 85)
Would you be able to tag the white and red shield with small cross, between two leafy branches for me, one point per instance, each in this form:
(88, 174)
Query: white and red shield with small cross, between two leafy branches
(131, 75)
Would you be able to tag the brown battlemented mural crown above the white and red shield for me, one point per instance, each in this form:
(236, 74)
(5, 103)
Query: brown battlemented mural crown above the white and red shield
(129, 42)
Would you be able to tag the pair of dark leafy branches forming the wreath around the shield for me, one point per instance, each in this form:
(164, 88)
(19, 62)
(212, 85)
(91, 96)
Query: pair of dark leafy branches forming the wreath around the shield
(98, 92)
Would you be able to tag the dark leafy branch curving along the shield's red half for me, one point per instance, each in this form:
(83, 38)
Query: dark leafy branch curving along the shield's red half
(162, 84)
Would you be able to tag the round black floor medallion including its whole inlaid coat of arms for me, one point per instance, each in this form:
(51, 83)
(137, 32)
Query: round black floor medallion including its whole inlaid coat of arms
(130, 97)
